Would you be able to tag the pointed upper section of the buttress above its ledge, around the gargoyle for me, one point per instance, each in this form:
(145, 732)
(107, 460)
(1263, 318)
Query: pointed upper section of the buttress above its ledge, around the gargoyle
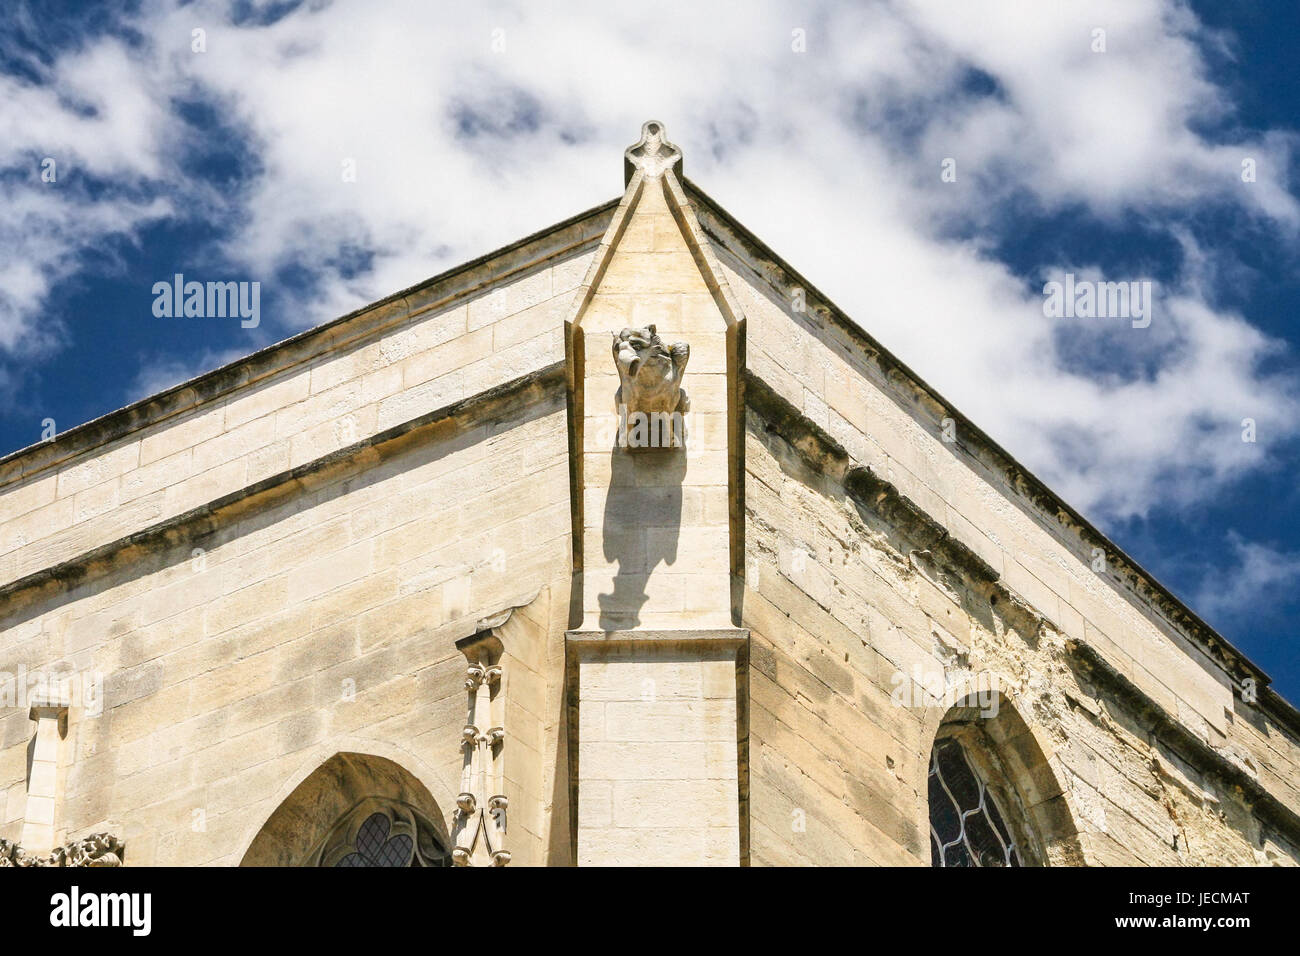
(655, 534)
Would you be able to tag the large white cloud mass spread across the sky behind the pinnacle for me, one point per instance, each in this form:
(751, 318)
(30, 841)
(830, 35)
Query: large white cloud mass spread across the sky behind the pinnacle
(831, 155)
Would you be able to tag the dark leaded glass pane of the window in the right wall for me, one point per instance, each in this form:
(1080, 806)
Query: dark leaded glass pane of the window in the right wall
(967, 825)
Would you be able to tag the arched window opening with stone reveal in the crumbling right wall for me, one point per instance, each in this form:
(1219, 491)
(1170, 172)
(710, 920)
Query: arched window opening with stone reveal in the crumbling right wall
(976, 816)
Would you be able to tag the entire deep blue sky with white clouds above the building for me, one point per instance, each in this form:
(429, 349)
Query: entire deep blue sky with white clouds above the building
(821, 127)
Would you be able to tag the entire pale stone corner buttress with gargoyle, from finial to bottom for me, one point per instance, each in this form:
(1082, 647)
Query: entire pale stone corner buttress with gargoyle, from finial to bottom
(656, 661)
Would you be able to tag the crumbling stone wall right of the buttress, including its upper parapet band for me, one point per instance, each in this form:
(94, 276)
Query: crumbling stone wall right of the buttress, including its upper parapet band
(878, 556)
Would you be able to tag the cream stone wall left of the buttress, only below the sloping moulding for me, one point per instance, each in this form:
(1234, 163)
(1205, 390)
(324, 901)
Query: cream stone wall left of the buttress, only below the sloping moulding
(320, 625)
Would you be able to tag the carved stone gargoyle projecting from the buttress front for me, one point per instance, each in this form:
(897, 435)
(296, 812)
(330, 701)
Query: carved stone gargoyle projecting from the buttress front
(651, 399)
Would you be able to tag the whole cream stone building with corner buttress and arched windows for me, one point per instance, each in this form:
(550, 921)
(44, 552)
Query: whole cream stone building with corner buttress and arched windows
(618, 546)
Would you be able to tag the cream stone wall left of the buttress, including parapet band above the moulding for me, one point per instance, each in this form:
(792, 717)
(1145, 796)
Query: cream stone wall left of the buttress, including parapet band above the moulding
(227, 639)
